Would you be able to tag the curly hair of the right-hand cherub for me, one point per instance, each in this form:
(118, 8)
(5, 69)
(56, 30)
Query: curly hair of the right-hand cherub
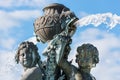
(88, 49)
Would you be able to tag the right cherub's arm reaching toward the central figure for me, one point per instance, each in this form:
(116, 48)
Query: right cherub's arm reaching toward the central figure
(71, 71)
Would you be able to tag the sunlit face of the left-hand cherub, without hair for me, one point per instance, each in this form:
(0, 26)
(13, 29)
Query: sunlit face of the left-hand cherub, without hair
(25, 57)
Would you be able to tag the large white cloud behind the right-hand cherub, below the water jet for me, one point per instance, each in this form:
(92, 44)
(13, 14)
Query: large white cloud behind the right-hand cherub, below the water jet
(109, 52)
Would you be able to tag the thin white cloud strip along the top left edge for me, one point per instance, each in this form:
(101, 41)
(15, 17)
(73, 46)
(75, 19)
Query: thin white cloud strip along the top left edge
(20, 3)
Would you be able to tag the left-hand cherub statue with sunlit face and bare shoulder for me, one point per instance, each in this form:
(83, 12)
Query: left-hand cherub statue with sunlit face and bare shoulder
(28, 56)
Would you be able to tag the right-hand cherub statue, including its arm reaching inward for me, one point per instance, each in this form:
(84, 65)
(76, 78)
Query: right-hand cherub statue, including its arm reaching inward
(86, 57)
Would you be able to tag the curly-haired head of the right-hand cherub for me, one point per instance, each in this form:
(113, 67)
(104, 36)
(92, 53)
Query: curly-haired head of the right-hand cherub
(87, 56)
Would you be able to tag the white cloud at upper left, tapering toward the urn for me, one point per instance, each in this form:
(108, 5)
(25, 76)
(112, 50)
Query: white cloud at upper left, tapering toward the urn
(13, 18)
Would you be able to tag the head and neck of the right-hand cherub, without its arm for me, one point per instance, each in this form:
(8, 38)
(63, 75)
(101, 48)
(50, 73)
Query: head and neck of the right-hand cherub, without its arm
(87, 58)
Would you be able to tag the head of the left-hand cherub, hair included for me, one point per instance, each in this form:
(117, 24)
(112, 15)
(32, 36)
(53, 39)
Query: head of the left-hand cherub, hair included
(27, 54)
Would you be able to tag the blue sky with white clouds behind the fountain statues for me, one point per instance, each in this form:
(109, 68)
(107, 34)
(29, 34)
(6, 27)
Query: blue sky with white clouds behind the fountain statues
(16, 25)
